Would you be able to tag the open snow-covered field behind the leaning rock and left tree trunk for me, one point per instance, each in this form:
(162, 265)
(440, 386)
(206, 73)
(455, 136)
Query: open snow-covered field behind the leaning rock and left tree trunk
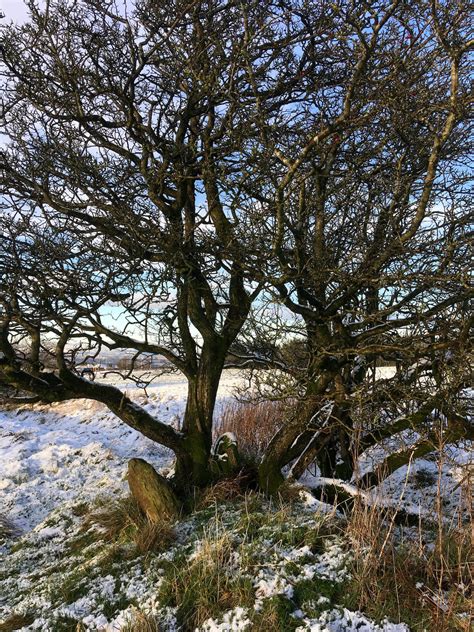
(78, 449)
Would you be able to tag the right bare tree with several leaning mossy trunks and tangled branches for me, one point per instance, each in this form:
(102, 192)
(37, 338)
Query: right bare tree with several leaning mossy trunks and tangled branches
(368, 190)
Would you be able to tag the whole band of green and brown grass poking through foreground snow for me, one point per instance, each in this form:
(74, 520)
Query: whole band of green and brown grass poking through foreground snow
(424, 580)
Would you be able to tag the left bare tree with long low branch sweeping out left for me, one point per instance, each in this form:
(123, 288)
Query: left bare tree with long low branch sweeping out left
(120, 138)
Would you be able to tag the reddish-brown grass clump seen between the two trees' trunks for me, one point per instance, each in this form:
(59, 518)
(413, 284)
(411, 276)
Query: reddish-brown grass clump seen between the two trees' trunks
(253, 425)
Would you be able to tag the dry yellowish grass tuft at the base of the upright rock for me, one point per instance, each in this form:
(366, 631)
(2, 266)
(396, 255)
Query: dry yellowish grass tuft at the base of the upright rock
(123, 521)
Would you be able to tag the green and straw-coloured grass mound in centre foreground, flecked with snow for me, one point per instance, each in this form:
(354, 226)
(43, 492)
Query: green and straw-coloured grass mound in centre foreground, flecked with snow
(219, 575)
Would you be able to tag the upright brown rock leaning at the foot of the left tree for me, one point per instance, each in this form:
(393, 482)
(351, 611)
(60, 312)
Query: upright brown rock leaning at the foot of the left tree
(152, 492)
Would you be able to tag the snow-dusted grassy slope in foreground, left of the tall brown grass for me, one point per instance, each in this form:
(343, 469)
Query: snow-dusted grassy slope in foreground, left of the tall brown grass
(268, 555)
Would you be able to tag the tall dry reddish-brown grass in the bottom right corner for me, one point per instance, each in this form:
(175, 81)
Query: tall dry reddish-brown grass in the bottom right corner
(426, 585)
